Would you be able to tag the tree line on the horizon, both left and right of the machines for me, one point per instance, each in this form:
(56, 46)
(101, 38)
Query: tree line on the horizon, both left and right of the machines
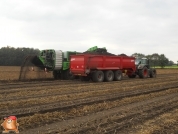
(10, 56)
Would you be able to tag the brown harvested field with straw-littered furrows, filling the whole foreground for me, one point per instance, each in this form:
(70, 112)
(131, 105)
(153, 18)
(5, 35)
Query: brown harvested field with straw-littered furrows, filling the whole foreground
(130, 106)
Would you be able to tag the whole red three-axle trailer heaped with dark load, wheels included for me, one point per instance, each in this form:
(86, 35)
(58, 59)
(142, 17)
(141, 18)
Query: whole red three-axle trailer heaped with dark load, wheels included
(101, 67)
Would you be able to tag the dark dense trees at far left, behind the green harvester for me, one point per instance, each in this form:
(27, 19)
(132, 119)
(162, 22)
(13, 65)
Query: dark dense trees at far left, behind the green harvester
(10, 56)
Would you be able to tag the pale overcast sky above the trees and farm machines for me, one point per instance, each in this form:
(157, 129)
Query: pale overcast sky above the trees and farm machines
(122, 26)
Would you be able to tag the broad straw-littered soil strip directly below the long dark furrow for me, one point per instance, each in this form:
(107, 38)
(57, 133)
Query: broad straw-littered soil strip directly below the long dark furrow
(95, 114)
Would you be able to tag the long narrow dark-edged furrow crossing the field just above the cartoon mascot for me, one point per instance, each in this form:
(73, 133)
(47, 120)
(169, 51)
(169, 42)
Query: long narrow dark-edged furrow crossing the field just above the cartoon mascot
(78, 102)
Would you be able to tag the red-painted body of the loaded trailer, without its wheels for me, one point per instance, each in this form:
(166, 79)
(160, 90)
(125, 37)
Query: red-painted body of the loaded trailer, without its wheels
(82, 62)
